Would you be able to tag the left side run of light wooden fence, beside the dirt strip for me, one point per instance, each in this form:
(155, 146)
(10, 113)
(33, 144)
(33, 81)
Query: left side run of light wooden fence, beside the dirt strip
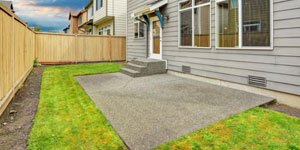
(16, 55)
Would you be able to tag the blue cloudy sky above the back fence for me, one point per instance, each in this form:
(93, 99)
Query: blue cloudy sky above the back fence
(50, 15)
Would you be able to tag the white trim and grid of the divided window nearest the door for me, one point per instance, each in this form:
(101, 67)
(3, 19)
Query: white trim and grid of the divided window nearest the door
(193, 21)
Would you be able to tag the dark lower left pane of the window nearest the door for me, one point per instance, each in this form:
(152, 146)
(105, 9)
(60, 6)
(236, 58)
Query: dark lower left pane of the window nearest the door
(186, 28)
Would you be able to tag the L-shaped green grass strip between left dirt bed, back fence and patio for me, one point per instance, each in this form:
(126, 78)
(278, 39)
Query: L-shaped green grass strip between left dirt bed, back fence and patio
(67, 118)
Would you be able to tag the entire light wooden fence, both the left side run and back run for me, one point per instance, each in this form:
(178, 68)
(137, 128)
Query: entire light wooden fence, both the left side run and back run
(19, 46)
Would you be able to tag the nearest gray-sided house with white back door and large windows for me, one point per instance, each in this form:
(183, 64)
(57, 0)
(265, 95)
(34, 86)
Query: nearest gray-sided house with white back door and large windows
(251, 45)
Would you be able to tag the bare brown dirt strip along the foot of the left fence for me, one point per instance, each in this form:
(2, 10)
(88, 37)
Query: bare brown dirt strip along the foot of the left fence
(17, 120)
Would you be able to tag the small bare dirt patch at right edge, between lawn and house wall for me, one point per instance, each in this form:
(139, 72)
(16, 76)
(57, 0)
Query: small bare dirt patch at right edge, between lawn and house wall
(285, 109)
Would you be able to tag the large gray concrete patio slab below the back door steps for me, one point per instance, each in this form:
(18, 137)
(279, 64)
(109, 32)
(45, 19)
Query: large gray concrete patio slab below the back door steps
(149, 111)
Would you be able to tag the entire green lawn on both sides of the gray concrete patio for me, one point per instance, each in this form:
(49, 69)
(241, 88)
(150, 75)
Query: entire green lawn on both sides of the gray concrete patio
(68, 119)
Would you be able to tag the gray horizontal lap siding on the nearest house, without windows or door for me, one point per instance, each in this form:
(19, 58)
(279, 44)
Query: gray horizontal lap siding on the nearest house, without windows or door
(281, 66)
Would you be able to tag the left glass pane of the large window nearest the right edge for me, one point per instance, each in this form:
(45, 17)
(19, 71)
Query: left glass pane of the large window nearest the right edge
(228, 24)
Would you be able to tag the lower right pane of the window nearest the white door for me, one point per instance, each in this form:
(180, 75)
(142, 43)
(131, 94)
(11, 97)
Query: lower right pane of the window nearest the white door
(202, 26)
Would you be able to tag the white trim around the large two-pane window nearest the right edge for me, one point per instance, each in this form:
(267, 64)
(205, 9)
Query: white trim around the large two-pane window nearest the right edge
(271, 47)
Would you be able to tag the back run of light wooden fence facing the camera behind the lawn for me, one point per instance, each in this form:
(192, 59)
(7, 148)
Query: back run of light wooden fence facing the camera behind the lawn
(62, 48)
